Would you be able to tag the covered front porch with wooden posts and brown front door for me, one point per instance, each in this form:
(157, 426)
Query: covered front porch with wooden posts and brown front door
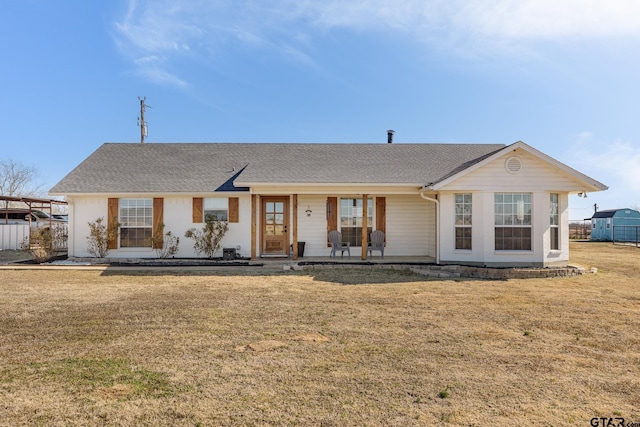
(296, 226)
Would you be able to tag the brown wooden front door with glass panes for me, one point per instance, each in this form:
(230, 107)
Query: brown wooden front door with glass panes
(275, 221)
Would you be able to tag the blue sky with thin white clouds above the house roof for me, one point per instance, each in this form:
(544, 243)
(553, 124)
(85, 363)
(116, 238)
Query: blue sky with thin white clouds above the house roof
(562, 76)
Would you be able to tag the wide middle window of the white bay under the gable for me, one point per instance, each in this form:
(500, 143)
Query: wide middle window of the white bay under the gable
(512, 221)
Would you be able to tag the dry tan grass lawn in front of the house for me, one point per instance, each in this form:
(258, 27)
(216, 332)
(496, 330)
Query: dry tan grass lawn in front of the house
(330, 348)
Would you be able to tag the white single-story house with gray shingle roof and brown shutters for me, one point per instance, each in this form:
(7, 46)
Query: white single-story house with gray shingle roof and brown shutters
(472, 204)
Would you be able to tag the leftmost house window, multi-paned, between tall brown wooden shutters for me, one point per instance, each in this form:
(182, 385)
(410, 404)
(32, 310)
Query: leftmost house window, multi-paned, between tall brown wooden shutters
(136, 223)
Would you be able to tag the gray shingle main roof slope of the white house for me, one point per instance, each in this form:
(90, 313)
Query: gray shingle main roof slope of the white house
(208, 167)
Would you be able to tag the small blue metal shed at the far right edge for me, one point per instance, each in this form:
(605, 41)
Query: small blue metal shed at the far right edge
(618, 225)
